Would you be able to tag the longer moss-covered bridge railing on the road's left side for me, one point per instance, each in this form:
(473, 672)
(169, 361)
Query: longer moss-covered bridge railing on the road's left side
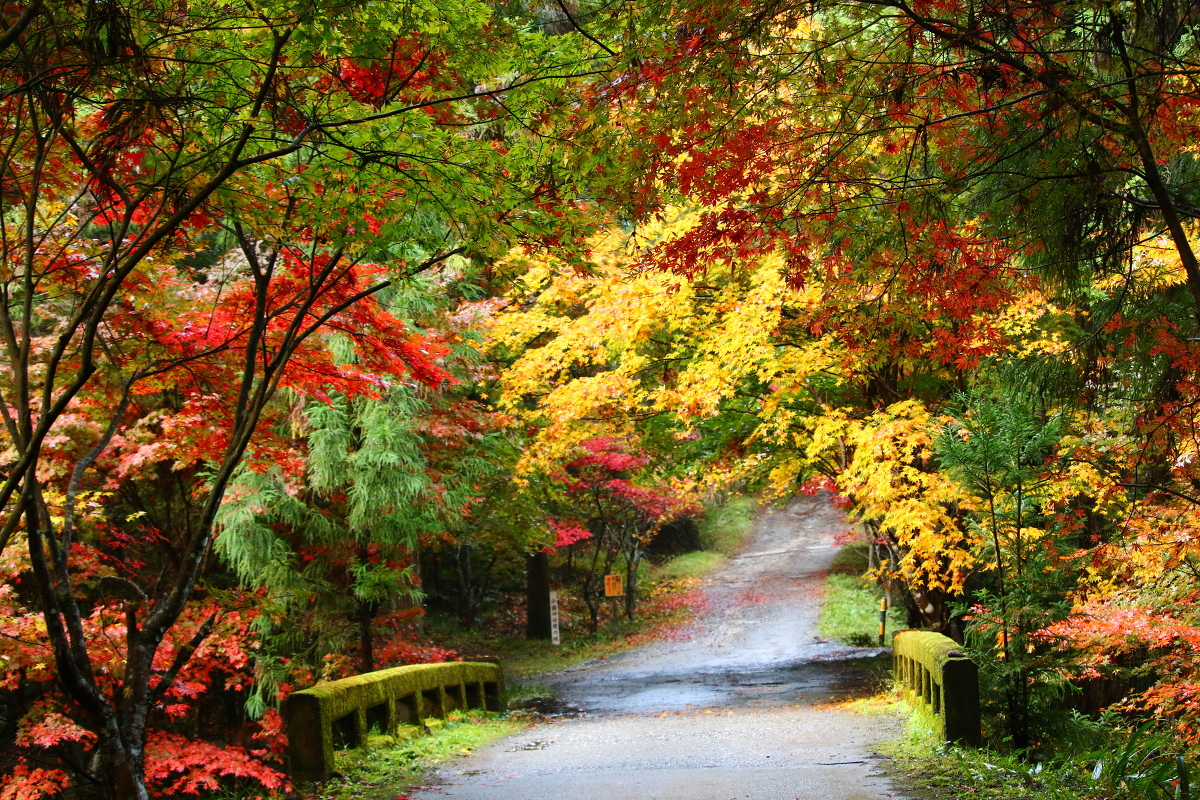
(341, 713)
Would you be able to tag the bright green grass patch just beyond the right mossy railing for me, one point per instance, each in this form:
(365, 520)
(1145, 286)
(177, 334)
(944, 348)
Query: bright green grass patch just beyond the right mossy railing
(851, 611)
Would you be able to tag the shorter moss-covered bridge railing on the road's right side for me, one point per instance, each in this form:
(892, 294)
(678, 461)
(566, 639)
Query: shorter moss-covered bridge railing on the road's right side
(933, 672)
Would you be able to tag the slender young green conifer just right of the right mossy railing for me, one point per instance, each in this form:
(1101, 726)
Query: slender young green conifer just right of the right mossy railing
(1000, 450)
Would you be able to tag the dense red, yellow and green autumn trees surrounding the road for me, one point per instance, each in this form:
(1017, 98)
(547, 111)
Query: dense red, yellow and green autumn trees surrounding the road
(320, 317)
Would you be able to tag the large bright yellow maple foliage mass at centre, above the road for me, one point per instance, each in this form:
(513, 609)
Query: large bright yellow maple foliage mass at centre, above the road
(595, 353)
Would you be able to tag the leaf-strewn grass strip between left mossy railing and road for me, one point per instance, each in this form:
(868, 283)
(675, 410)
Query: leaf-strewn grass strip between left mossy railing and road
(391, 768)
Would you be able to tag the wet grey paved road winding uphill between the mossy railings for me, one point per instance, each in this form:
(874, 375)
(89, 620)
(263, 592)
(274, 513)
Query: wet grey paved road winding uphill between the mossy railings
(730, 711)
